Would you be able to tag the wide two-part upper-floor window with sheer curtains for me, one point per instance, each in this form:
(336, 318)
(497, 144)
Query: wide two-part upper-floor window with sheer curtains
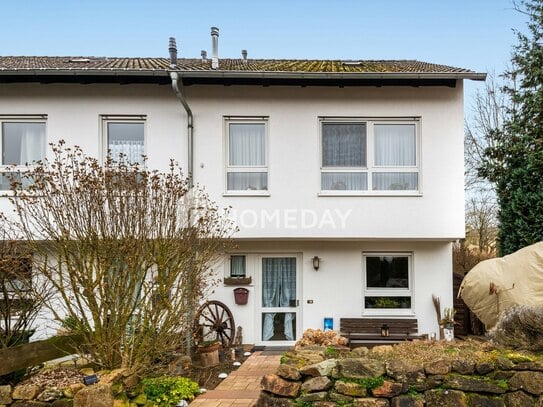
(369, 155)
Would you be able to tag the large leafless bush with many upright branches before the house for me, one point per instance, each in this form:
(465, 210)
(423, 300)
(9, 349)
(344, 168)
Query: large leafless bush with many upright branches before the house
(128, 250)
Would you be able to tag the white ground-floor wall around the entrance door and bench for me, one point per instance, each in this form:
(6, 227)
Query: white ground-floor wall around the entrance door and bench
(336, 289)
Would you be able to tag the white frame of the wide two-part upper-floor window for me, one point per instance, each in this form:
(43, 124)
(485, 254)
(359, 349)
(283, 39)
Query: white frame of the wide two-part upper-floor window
(370, 167)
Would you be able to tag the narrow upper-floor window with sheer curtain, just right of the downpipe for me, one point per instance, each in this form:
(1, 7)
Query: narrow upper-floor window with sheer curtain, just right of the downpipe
(247, 168)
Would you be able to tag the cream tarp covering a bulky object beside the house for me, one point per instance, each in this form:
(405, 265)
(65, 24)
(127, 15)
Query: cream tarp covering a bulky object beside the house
(497, 284)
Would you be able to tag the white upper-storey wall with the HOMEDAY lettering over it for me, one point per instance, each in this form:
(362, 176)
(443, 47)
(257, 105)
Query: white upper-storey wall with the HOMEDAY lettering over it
(73, 114)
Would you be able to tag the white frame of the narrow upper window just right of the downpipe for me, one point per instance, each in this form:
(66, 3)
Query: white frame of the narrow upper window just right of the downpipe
(246, 168)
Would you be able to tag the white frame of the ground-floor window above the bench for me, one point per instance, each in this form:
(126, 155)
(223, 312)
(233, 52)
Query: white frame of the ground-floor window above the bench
(388, 292)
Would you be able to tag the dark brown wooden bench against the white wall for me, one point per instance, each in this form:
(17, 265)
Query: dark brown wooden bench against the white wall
(368, 330)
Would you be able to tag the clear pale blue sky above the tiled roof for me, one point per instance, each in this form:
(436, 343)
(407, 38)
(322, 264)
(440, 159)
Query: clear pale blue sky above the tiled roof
(473, 34)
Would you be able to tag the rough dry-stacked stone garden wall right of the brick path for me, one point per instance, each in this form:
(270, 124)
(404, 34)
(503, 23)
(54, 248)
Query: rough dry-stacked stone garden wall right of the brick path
(359, 378)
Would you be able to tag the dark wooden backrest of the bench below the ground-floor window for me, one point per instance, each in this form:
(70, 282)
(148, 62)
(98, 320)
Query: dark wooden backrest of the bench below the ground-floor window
(373, 325)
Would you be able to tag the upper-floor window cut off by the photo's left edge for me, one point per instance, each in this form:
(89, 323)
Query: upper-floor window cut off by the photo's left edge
(23, 143)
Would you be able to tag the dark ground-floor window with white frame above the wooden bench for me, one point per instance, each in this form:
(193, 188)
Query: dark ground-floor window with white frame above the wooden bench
(387, 283)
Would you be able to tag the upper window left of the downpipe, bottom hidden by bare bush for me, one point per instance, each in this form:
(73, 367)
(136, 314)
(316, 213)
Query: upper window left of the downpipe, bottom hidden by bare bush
(124, 138)
